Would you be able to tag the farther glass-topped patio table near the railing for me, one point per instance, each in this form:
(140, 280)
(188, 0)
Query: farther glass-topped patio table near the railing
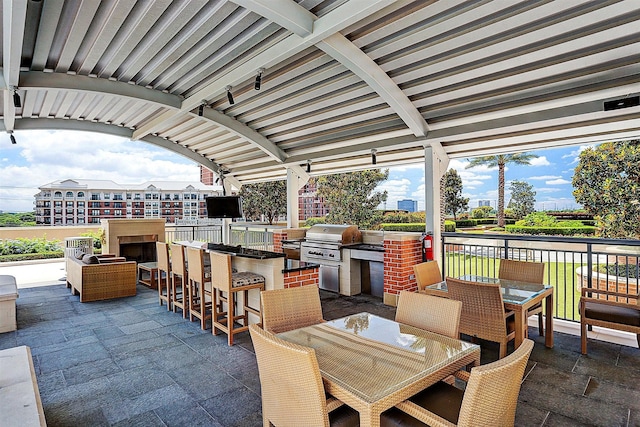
(518, 297)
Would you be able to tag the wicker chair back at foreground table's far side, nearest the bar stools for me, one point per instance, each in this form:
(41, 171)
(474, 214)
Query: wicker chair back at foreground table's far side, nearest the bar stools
(291, 308)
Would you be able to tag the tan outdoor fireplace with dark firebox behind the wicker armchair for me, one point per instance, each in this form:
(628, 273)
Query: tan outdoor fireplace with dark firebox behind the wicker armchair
(134, 239)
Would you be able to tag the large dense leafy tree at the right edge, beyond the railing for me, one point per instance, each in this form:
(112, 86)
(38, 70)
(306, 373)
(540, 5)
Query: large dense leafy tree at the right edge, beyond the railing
(607, 183)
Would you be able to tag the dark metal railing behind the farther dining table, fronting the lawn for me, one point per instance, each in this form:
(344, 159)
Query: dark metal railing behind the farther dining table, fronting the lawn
(571, 263)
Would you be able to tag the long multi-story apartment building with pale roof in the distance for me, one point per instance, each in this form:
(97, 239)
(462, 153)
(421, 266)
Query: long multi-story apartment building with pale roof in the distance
(81, 201)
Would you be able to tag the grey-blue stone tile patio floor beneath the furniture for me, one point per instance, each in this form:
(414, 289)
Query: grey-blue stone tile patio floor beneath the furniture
(130, 362)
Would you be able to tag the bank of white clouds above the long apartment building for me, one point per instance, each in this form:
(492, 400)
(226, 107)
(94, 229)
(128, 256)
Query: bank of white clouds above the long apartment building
(41, 157)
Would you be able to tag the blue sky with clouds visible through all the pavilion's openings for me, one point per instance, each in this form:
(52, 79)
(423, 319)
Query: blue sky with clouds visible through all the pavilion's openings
(41, 157)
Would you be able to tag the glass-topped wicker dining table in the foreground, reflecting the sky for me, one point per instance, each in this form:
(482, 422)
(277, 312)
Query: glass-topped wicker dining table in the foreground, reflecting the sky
(371, 363)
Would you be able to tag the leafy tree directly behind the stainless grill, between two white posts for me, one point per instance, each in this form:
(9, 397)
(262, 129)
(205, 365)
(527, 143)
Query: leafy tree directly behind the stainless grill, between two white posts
(351, 199)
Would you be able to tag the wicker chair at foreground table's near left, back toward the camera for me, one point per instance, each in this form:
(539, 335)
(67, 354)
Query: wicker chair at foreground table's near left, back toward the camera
(291, 385)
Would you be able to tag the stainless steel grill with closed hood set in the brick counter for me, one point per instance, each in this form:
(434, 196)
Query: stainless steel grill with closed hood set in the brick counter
(323, 245)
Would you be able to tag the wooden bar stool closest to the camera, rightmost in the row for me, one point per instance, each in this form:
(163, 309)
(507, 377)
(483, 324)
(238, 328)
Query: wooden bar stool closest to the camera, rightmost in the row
(226, 285)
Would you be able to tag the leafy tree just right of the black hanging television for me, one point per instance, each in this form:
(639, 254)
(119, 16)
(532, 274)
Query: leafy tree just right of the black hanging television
(264, 198)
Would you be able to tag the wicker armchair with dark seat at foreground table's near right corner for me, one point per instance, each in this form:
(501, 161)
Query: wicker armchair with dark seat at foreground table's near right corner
(489, 399)
